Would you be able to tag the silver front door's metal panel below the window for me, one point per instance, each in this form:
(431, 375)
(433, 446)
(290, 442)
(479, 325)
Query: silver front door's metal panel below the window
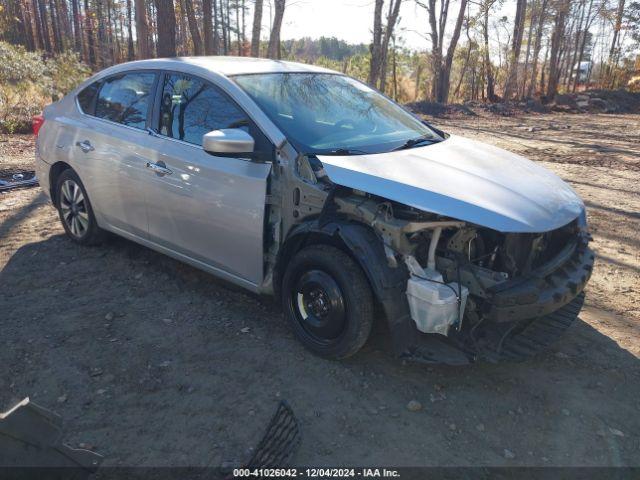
(210, 208)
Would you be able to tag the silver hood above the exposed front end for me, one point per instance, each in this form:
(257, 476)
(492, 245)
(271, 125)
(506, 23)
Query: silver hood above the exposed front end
(465, 180)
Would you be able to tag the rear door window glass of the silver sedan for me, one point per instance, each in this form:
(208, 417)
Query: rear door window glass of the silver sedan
(126, 98)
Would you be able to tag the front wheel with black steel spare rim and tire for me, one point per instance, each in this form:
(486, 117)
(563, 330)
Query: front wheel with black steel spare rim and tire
(328, 301)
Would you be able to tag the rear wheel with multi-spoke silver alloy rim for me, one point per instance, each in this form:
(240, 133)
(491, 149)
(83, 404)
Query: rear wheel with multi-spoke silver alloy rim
(75, 211)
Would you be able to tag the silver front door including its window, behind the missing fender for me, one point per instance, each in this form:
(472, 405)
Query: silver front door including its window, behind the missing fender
(206, 207)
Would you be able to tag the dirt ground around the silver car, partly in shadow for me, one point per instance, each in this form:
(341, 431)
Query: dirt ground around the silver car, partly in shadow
(151, 362)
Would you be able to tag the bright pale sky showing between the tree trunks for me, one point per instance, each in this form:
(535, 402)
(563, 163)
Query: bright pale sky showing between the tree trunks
(352, 20)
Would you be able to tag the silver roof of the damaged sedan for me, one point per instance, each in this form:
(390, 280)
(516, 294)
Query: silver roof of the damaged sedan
(229, 65)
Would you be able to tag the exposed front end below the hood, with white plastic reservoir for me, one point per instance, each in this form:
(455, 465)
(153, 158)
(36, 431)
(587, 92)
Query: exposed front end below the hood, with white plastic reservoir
(473, 286)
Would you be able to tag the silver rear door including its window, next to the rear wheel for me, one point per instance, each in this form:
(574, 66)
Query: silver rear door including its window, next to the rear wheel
(110, 150)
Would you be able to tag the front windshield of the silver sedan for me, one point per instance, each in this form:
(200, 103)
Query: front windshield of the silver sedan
(330, 113)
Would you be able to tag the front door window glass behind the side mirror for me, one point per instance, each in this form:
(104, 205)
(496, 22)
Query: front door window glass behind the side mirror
(191, 107)
